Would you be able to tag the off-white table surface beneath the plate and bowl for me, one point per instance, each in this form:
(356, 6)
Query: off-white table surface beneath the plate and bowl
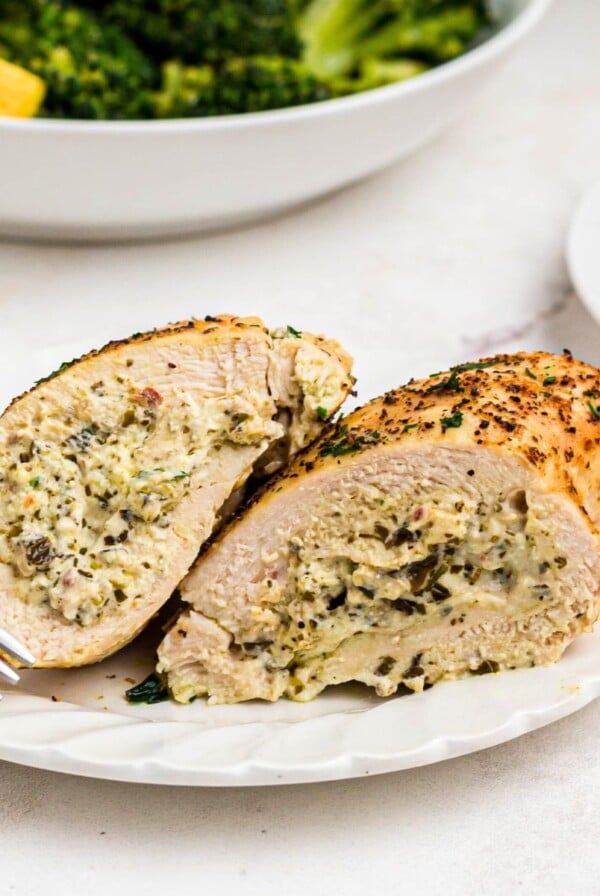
(453, 254)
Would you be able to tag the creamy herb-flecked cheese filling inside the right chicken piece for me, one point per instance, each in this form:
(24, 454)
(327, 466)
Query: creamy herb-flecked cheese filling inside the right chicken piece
(389, 568)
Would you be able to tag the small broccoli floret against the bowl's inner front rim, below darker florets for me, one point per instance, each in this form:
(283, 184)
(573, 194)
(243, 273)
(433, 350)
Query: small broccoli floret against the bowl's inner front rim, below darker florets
(239, 85)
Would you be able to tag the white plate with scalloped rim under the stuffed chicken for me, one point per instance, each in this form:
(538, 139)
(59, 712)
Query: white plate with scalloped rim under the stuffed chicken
(89, 729)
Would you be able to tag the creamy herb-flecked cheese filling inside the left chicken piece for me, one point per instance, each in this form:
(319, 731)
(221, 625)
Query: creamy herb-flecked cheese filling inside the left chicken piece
(77, 492)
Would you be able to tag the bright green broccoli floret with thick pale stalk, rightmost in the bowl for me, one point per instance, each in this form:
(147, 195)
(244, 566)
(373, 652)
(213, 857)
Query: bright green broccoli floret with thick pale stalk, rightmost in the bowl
(339, 35)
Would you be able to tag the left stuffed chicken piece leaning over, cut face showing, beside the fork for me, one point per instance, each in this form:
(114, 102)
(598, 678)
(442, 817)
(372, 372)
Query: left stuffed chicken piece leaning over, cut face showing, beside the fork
(114, 469)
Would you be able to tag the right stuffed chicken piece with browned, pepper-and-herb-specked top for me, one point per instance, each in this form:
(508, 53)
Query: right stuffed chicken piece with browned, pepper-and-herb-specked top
(446, 529)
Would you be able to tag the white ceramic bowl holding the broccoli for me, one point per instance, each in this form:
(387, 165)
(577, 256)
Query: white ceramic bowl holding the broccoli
(114, 180)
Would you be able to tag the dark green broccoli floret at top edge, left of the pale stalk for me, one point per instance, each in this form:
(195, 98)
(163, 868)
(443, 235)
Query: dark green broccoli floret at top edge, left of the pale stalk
(206, 30)
